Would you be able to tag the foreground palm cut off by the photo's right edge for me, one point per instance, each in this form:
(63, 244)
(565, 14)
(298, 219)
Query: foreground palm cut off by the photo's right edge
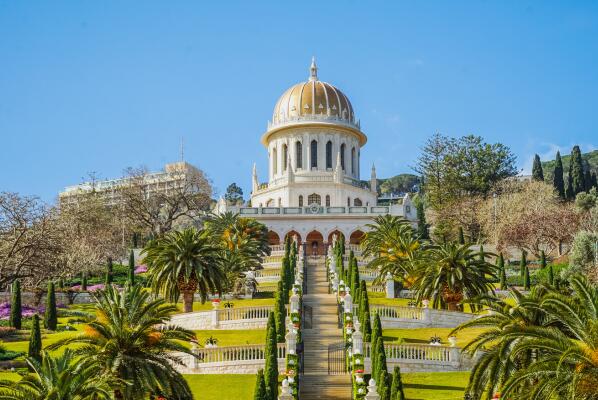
(566, 347)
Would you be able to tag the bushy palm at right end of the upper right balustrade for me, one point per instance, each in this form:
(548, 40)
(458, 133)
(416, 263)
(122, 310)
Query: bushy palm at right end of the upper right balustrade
(452, 273)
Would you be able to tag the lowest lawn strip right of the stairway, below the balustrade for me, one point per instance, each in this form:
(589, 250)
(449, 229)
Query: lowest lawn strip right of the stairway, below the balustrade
(435, 385)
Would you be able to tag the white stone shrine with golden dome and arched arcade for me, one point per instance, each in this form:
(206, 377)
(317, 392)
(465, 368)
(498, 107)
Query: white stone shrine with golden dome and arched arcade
(314, 188)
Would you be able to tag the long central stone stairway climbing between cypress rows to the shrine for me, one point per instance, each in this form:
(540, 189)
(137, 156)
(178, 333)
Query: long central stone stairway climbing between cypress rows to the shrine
(316, 383)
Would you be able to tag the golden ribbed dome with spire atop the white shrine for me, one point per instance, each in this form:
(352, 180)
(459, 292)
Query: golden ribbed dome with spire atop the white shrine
(312, 102)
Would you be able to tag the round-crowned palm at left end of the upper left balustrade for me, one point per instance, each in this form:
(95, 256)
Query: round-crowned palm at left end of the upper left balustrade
(184, 262)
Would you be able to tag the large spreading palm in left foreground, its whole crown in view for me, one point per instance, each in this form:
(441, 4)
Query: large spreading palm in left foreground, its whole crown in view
(131, 341)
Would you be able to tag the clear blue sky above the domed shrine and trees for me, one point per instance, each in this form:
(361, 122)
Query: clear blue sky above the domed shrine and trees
(102, 85)
